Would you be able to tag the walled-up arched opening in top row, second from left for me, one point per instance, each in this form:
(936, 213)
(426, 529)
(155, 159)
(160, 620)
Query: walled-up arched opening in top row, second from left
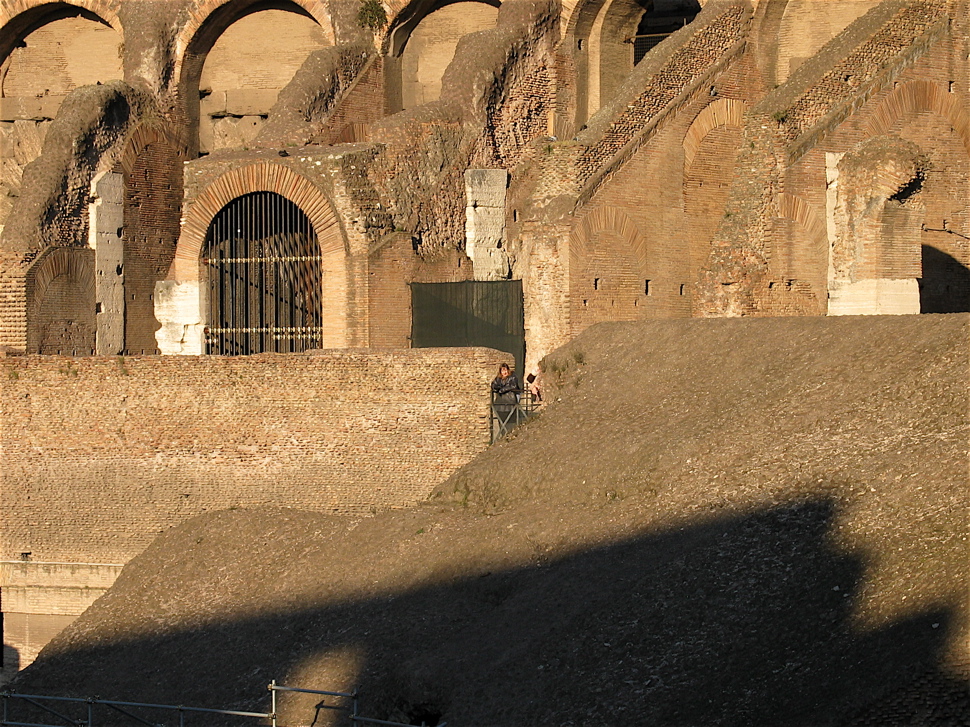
(236, 65)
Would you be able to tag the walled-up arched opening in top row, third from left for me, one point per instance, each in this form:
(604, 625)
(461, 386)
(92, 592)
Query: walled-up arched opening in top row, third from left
(423, 47)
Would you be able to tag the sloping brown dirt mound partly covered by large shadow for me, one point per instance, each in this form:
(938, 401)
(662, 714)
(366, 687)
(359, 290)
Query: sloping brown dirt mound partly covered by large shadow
(715, 522)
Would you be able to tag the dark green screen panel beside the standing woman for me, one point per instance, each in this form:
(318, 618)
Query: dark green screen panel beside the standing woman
(470, 313)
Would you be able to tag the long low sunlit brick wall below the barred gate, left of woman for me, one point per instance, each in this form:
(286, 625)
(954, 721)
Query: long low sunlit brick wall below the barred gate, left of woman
(101, 454)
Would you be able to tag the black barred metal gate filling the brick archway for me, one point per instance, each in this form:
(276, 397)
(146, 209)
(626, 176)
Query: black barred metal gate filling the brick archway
(265, 278)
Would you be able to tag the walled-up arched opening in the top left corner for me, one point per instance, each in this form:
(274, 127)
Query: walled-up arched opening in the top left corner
(46, 53)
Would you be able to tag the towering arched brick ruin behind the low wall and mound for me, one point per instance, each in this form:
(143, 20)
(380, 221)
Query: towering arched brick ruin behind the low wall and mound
(623, 159)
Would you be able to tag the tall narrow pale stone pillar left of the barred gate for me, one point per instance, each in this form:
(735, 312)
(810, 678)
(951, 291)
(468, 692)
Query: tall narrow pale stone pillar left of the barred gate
(105, 225)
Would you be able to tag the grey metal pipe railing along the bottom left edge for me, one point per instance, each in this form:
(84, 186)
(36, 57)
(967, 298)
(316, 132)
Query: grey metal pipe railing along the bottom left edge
(61, 708)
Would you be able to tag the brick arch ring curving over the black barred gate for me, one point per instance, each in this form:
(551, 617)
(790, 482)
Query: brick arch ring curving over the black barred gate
(261, 177)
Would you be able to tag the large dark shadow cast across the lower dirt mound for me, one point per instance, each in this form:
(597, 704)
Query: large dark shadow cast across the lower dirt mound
(745, 619)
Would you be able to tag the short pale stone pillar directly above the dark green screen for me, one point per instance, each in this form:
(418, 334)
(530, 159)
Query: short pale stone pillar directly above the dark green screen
(485, 222)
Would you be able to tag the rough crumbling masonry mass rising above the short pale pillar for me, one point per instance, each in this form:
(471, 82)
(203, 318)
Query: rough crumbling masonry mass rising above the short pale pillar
(473, 124)
